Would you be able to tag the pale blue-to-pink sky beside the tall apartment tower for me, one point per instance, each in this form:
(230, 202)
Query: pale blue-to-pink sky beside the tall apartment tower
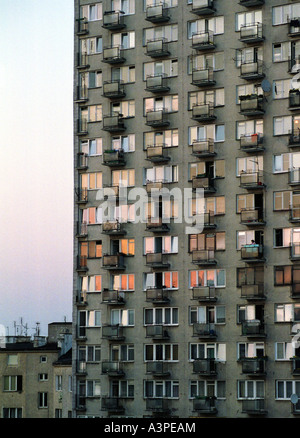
(36, 163)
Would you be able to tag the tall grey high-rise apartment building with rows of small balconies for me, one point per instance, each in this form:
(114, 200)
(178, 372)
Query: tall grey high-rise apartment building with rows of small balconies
(186, 94)
